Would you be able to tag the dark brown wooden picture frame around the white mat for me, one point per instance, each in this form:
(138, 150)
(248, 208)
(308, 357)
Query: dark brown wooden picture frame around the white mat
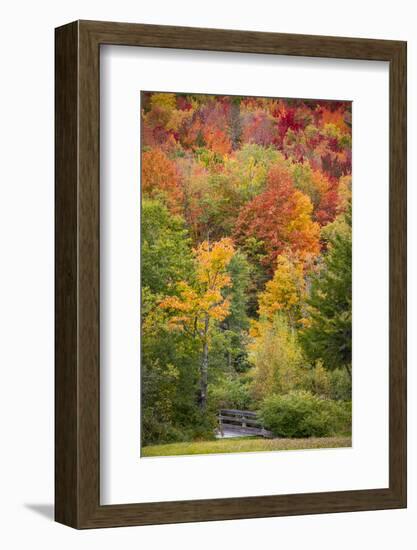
(77, 372)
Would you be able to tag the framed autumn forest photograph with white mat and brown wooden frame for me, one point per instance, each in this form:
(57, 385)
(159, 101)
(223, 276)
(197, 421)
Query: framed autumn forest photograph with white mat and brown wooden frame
(230, 274)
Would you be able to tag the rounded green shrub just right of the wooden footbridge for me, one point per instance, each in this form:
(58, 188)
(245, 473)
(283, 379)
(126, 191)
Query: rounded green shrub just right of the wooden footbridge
(302, 414)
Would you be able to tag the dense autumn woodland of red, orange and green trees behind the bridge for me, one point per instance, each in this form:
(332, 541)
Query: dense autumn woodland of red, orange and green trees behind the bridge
(246, 263)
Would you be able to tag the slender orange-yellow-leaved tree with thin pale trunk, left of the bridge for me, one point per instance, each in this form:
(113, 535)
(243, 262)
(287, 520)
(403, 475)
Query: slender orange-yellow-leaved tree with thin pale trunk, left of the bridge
(198, 307)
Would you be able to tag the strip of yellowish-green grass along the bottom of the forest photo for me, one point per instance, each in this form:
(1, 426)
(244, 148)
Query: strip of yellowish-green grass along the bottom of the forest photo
(240, 445)
